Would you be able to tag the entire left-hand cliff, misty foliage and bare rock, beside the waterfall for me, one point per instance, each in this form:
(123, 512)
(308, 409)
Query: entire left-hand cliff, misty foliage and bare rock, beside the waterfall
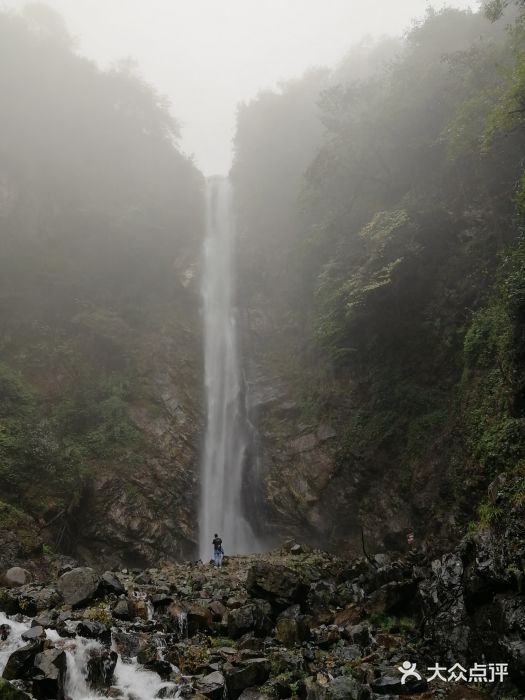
(101, 220)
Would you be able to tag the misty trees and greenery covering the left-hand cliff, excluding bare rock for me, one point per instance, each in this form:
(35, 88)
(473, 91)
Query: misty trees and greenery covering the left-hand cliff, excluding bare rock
(100, 213)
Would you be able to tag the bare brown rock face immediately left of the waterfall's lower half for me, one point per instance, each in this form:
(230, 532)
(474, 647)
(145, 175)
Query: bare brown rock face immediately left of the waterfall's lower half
(144, 508)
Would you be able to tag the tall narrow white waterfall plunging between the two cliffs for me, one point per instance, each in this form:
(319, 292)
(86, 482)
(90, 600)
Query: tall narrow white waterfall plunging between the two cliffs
(226, 430)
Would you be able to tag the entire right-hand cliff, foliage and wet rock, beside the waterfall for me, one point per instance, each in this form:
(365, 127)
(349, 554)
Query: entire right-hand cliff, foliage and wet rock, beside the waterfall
(381, 294)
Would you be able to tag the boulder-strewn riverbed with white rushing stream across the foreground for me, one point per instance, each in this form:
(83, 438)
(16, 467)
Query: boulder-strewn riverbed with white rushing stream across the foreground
(292, 623)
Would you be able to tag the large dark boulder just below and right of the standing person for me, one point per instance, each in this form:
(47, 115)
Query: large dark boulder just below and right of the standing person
(277, 584)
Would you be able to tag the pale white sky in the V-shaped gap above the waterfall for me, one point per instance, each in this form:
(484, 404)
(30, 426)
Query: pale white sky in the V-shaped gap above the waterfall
(208, 55)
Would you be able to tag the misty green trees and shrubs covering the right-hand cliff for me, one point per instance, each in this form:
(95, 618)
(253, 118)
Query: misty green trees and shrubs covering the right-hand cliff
(408, 246)
